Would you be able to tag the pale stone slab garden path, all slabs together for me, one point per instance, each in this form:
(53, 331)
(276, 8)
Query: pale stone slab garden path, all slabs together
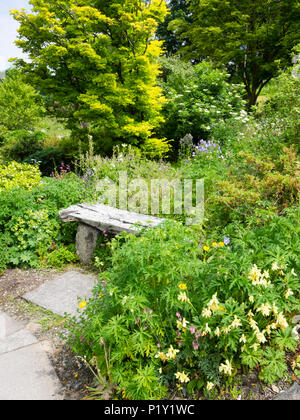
(26, 372)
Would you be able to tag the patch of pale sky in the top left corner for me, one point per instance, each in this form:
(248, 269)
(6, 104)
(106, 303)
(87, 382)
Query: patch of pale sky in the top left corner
(8, 31)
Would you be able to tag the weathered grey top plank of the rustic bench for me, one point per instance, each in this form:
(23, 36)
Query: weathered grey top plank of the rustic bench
(108, 218)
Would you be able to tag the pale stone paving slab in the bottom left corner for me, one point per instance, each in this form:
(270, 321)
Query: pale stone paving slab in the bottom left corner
(27, 374)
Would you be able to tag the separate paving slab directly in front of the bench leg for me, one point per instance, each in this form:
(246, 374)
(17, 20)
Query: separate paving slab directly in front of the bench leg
(61, 294)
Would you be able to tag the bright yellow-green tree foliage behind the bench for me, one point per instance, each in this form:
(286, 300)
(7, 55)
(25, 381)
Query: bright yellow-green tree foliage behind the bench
(98, 65)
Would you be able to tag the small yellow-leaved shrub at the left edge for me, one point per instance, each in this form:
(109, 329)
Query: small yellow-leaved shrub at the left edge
(17, 175)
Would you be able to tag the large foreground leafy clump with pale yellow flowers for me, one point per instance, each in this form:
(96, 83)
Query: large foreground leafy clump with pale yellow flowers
(177, 309)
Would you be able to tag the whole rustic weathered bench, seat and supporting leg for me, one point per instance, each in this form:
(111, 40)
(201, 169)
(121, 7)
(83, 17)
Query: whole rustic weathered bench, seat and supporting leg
(93, 218)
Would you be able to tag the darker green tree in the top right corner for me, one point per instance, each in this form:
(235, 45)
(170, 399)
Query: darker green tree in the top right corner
(242, 36)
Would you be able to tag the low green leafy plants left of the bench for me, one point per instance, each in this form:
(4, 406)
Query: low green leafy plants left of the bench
(30, 225)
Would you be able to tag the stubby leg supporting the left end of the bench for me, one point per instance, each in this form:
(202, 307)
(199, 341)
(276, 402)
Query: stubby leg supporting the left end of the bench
(86, 241)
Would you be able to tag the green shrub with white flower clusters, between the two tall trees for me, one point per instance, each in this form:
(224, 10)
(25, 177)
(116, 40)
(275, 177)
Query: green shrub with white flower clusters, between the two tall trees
(199, 97)
